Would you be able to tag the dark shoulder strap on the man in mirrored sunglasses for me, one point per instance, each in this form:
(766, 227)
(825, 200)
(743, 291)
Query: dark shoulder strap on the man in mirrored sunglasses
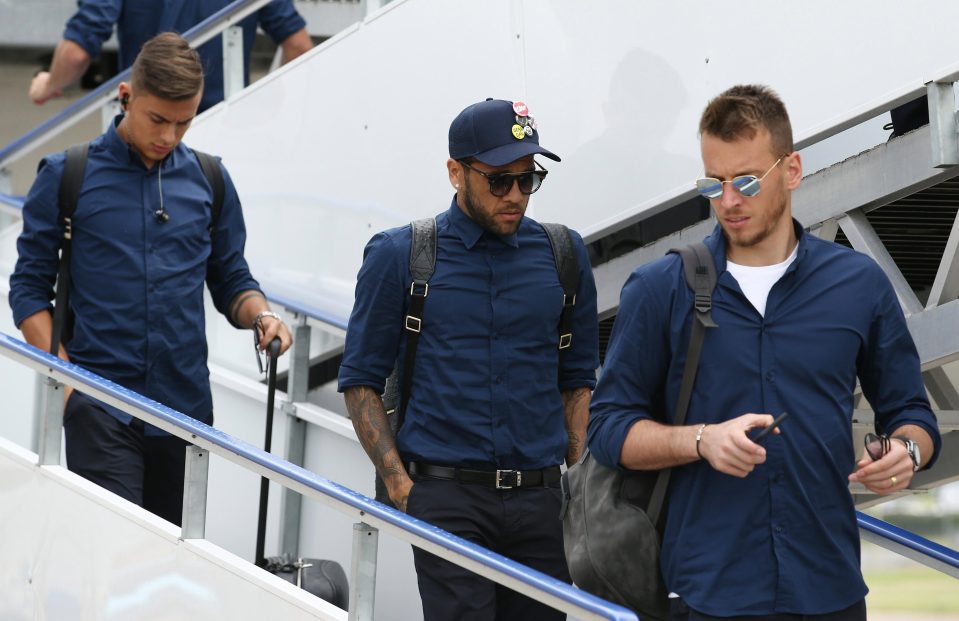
(700, 271)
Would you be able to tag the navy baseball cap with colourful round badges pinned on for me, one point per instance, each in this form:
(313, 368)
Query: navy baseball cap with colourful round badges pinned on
(496, 132)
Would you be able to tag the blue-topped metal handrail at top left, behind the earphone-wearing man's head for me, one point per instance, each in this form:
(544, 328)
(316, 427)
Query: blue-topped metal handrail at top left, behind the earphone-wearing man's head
(229, 15)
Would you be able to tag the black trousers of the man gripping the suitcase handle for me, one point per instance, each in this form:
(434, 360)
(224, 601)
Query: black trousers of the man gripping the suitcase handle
(146, 470)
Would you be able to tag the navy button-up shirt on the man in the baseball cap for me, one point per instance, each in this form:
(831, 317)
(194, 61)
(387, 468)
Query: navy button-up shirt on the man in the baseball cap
(486, 391)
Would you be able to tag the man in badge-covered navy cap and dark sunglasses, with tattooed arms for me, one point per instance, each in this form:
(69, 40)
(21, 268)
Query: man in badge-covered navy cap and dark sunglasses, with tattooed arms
(494, 405)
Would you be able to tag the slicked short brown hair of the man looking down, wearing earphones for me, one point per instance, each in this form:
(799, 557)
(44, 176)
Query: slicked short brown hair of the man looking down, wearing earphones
(168, 68)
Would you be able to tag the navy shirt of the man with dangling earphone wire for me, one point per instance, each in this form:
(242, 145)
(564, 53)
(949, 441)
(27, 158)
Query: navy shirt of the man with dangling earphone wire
(137, 289)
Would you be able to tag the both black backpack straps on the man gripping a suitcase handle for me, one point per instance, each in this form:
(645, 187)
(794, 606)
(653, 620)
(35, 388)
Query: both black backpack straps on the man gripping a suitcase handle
(71, 183)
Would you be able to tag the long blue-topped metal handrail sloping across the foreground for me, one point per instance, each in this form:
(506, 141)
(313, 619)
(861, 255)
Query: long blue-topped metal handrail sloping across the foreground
(488, 564)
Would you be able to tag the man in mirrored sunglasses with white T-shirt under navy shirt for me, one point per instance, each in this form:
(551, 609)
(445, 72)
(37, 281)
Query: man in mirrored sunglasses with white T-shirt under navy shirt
(763, 530)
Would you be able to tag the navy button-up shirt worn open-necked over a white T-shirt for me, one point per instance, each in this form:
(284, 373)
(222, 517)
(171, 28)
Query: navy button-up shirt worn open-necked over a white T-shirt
(784, 539)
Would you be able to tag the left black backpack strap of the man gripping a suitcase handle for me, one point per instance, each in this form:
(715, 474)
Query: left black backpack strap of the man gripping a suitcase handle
(71, 182)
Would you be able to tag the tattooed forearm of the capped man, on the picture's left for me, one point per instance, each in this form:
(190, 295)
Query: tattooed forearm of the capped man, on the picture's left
(373, 430)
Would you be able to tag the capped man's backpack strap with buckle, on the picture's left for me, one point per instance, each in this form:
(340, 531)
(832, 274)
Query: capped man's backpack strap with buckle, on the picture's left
(422, 266)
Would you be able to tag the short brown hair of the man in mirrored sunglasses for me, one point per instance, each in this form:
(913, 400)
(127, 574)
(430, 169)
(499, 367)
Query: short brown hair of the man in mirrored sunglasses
(741, 111)
